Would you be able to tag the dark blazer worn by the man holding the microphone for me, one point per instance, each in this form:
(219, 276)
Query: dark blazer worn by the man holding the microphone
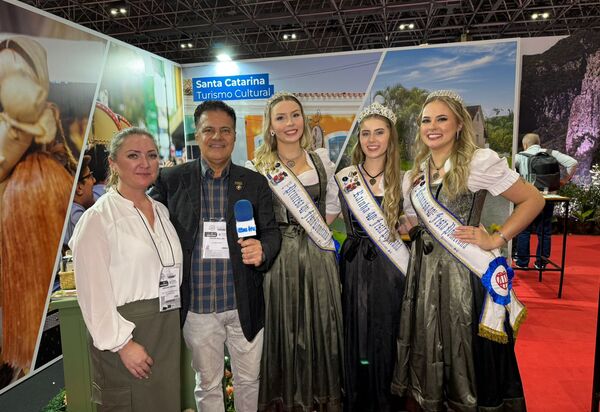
(178, 188)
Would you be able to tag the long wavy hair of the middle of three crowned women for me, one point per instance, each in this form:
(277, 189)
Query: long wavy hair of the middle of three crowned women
(392, 194)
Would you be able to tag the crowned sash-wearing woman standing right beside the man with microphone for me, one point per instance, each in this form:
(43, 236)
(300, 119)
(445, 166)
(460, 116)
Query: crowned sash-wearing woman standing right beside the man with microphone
(302, 361)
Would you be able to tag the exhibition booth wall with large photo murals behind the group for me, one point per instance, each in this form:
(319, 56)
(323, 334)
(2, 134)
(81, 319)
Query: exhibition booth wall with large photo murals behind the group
(94, 86)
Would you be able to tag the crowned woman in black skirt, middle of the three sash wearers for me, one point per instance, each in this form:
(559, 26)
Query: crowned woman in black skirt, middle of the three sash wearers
(372, 282)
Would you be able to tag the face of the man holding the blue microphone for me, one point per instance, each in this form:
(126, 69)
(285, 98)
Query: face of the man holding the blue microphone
(215, 134)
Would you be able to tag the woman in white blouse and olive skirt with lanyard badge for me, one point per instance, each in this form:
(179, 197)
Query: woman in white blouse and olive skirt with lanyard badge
(124, 247)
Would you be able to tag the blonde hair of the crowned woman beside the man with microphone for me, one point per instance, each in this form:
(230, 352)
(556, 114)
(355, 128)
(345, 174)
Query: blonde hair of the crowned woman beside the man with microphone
(266, 154)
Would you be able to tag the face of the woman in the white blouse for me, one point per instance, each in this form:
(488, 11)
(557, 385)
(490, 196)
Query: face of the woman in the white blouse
(136, 162)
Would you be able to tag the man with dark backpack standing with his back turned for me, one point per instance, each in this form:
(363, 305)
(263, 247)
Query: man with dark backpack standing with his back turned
(527, 164)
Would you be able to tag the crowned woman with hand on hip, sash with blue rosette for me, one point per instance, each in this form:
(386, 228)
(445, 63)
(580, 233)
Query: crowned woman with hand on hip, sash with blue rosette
(454, 353)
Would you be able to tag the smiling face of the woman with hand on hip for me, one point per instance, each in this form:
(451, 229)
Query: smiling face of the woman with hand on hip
(439, 126)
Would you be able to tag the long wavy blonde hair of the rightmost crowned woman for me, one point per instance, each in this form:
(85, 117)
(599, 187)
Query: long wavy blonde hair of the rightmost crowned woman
(455, 181)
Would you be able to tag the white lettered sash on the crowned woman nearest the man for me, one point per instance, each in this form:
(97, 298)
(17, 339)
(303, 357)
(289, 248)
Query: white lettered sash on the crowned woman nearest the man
(290, 191)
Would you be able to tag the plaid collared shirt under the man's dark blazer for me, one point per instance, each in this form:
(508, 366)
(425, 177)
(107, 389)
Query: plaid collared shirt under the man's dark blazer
(212, 279)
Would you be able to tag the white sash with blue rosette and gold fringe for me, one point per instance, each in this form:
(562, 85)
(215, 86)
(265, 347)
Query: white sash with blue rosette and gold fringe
(495, 273)
